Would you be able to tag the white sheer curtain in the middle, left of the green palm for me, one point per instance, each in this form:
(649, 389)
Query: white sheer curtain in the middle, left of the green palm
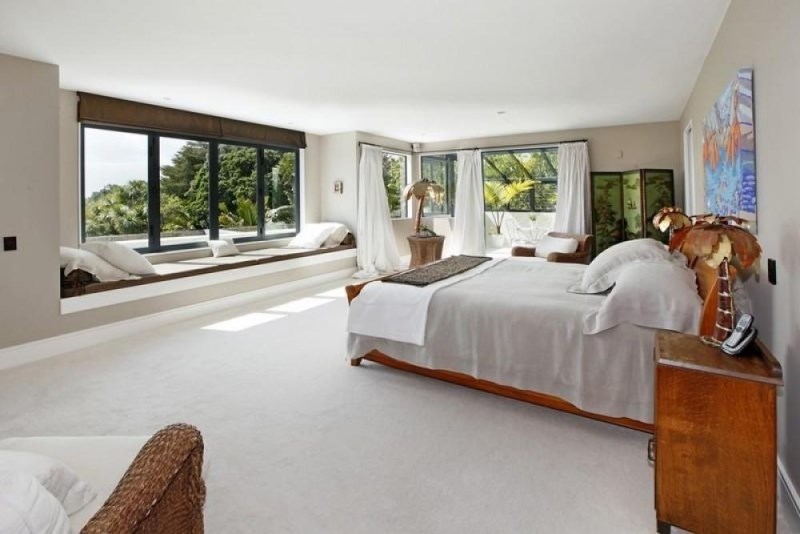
(468, 227)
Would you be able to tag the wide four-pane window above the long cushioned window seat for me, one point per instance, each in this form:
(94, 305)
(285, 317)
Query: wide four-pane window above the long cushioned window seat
(158, 192)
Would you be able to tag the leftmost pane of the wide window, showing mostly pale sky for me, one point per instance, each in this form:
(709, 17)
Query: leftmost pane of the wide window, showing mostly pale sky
(115, 199)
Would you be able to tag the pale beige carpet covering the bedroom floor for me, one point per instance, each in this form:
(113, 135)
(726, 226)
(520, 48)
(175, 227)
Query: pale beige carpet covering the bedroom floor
(299, 442)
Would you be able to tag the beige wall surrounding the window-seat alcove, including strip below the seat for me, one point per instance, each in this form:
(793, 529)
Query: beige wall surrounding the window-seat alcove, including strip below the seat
(39, 202)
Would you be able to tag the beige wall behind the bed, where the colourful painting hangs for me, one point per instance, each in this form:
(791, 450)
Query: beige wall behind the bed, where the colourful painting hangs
(765, 34)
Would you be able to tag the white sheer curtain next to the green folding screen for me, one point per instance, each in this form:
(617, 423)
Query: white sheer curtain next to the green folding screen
(573, 187)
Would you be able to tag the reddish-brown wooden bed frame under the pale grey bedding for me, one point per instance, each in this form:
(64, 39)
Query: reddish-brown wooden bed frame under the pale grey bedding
(707, 289)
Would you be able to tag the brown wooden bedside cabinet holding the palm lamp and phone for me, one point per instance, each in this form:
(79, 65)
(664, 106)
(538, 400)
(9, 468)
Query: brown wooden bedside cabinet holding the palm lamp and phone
(715, 437)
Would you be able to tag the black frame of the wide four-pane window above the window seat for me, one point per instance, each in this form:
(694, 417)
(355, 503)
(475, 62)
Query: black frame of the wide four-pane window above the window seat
(154, 187)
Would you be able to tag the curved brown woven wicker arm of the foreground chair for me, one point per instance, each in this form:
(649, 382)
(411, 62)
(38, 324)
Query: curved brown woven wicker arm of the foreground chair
(162, 490)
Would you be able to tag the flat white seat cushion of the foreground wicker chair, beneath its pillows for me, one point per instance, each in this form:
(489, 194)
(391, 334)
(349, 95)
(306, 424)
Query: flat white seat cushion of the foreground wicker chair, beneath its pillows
(99, 460)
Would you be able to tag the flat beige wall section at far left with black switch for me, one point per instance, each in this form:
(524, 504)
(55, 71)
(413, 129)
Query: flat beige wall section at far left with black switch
(29, 201)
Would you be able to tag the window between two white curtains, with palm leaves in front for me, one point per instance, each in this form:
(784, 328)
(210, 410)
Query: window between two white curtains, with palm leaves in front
(537, 164)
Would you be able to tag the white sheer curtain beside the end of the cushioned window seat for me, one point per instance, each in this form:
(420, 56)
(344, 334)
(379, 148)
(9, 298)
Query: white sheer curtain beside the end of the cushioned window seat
(376, 250)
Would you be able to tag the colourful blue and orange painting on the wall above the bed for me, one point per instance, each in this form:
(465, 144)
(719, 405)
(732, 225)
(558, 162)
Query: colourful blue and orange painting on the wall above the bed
(729, 151)
